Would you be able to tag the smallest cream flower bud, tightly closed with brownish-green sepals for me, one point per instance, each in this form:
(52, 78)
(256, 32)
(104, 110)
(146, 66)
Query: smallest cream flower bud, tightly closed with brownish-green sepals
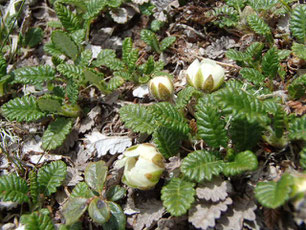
(161, 88)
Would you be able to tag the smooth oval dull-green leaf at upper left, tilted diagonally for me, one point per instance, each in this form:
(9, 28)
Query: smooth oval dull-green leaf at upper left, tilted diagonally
(63, 42)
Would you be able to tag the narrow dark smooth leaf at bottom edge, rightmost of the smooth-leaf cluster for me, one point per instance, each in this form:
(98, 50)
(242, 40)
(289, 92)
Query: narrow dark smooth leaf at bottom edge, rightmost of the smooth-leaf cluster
(117, 220)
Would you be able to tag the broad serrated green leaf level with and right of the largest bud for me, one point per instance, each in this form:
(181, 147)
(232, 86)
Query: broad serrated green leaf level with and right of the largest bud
(201, 165)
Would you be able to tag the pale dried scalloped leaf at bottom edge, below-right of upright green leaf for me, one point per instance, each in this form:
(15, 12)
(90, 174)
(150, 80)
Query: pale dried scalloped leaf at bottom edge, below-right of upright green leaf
(205, 214)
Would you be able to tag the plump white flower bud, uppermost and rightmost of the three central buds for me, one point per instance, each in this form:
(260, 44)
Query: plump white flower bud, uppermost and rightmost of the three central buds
(207, 75)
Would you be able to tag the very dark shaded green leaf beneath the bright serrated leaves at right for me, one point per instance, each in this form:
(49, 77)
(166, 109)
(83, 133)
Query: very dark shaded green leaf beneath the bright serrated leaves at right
(244, 134)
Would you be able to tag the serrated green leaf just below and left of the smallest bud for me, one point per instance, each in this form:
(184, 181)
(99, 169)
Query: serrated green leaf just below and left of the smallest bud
(137, 118)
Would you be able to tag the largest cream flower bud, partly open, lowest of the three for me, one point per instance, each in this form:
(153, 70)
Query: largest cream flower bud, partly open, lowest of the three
(143, 166)
